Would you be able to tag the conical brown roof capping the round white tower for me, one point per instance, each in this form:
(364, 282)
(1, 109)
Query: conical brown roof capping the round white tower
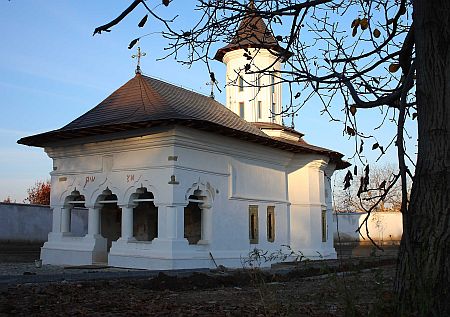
(252, 33)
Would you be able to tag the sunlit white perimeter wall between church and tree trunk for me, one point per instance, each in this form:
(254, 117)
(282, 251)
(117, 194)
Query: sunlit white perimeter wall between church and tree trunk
(383, 226)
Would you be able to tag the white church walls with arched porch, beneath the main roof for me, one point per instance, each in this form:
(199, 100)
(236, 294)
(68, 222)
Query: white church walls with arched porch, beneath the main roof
(232, 175)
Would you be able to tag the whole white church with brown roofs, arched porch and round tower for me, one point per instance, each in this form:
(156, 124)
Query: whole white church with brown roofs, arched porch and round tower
(172, 179)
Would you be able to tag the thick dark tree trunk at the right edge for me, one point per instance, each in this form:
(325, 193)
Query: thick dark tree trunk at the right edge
(423, 272)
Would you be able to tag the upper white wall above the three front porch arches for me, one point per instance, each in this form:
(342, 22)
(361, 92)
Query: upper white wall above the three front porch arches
(119, 164)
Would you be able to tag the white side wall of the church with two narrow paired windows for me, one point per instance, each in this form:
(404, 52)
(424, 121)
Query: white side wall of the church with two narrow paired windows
(241, 174)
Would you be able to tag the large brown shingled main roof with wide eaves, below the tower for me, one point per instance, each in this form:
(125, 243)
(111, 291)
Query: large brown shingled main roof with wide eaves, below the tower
(145, 102)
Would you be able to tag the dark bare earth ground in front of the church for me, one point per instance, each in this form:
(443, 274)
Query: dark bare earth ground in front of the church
(305, 289)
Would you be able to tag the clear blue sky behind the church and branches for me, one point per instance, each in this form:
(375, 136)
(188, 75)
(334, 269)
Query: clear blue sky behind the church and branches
(52, 70)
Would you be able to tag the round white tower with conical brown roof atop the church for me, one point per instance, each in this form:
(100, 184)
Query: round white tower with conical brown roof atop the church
(253, 59)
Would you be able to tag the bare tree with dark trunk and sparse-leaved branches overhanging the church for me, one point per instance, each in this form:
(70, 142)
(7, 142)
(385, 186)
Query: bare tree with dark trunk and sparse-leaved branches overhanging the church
(392, 55)
